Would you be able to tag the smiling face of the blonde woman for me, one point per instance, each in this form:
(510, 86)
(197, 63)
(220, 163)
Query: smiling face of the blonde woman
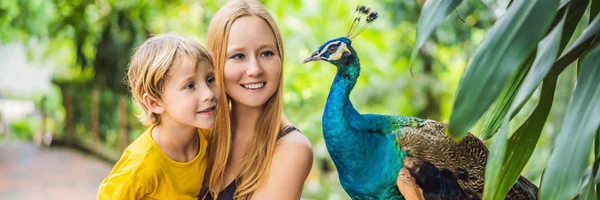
(253, 65)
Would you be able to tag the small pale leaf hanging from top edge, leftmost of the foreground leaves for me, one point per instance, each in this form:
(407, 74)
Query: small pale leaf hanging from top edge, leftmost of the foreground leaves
(432, 15)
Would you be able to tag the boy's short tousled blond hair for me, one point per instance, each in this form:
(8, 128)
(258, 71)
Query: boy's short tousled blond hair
(151, 64)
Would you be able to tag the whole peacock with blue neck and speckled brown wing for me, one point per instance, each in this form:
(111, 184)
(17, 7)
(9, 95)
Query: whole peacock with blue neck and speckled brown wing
(372, 153)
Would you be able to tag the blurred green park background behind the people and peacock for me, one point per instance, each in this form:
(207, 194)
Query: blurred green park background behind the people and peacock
(65, 114)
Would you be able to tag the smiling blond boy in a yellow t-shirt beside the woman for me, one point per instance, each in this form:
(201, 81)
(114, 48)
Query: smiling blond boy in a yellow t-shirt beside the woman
(172, 80)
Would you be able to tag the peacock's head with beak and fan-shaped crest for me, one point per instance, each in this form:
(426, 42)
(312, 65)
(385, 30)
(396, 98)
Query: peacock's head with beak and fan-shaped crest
(339, 50)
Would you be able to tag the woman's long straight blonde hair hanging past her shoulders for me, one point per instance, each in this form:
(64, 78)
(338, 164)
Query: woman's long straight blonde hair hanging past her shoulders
(257, 161)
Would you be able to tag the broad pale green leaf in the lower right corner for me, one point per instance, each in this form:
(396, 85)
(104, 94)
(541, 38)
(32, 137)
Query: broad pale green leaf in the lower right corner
(568, 160)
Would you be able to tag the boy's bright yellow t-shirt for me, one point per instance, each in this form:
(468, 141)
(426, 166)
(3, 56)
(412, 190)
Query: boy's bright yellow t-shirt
(146, 172)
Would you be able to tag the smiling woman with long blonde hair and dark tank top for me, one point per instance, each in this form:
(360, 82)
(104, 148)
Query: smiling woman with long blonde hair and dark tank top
(257, 153)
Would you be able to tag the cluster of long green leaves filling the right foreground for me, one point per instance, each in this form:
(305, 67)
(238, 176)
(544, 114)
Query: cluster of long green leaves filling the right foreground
(483, 80)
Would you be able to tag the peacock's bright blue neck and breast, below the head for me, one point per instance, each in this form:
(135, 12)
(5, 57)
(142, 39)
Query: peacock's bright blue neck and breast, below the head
(357, 143)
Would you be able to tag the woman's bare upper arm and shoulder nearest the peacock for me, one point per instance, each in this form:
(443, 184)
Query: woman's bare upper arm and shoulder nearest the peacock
(291, 164)
